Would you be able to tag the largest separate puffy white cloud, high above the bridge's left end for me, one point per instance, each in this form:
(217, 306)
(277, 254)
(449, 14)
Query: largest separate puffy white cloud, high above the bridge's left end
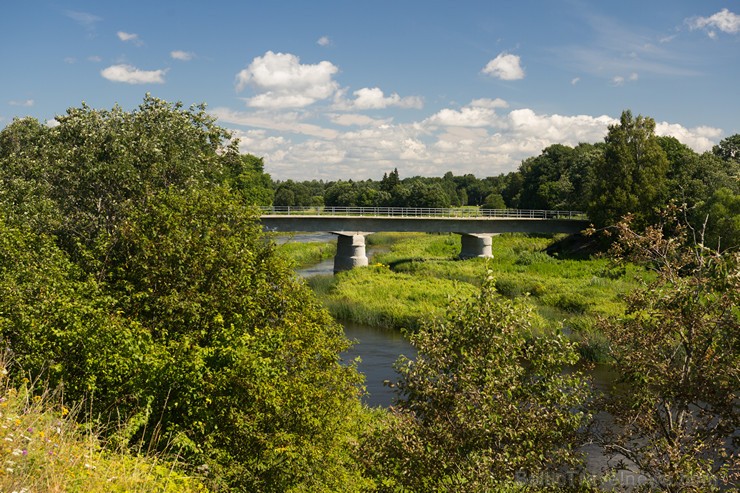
(281, 81)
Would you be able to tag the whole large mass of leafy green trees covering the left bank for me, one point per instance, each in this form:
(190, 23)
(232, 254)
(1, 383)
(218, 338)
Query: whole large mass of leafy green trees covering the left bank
(142, 282)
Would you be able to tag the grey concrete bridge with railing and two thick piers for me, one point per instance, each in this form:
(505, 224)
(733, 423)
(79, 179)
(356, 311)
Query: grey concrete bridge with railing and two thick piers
(476, 226)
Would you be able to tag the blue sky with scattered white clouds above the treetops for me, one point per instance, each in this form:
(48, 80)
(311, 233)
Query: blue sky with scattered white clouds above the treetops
(348, 89)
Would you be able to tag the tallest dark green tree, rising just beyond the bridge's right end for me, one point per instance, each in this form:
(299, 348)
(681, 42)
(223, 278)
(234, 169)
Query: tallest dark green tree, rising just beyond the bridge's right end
(632, 176)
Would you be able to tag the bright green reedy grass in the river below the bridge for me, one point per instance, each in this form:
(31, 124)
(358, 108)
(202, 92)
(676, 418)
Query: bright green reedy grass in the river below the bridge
(415, 278)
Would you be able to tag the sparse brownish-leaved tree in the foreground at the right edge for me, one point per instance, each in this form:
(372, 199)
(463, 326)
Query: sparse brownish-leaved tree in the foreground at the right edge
(677, 350)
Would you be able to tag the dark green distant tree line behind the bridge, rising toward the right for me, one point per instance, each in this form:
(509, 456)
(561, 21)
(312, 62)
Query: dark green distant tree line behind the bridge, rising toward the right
(632, 171)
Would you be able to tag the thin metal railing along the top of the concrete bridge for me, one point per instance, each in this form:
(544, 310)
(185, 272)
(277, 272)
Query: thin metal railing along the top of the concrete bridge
(460, 212)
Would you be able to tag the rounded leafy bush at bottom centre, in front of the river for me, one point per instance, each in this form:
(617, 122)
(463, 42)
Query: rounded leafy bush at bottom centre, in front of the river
(484, 401)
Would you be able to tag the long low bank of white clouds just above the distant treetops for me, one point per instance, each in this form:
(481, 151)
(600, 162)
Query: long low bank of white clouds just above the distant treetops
(483, 137)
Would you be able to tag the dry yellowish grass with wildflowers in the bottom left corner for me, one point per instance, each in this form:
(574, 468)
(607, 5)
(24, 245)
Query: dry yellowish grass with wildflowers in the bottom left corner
(42, 448)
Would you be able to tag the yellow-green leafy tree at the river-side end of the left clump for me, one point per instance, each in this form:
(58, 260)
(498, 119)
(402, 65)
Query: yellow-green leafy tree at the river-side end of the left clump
(251, 381)
